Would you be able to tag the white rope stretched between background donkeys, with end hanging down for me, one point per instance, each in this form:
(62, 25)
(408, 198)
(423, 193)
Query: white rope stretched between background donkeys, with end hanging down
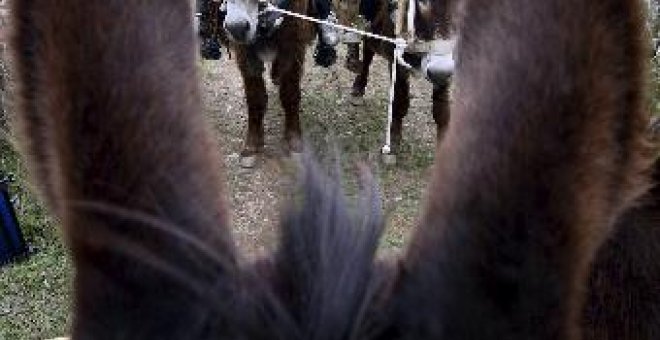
(399, 48)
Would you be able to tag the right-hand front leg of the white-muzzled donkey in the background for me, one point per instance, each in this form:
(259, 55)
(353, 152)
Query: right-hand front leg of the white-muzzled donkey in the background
(290, 100)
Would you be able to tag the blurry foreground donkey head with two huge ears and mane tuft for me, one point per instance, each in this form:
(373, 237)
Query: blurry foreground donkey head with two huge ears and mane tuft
(544, 153)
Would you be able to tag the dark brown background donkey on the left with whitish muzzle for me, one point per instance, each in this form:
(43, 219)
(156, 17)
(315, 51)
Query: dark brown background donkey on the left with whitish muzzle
(285, 47)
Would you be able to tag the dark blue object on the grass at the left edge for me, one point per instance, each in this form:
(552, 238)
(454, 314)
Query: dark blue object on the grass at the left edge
(12, 243)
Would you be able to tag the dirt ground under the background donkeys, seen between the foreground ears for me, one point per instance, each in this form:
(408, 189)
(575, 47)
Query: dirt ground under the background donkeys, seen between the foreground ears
(330, 116)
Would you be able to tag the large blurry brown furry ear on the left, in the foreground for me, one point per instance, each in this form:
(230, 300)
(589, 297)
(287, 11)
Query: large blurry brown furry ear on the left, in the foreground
(111, 121)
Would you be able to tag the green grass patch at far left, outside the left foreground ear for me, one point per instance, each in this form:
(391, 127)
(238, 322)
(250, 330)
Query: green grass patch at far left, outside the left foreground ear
(34, 292)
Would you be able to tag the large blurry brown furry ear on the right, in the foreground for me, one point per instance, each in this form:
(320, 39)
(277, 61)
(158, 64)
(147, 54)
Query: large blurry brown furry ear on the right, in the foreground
(545, 148)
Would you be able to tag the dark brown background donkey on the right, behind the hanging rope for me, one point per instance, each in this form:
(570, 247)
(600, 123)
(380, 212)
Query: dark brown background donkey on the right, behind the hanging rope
(431, 21)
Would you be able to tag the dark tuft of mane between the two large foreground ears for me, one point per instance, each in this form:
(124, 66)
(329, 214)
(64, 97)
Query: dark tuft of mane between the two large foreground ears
(324, 264)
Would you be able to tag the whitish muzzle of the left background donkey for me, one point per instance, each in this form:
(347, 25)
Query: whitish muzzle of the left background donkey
(242, 19)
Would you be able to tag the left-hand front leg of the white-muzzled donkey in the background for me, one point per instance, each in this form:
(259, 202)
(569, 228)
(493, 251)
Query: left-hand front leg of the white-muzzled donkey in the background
(257, 100)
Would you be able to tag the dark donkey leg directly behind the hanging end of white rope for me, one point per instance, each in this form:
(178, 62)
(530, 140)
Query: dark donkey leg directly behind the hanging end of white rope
(399, 111)
